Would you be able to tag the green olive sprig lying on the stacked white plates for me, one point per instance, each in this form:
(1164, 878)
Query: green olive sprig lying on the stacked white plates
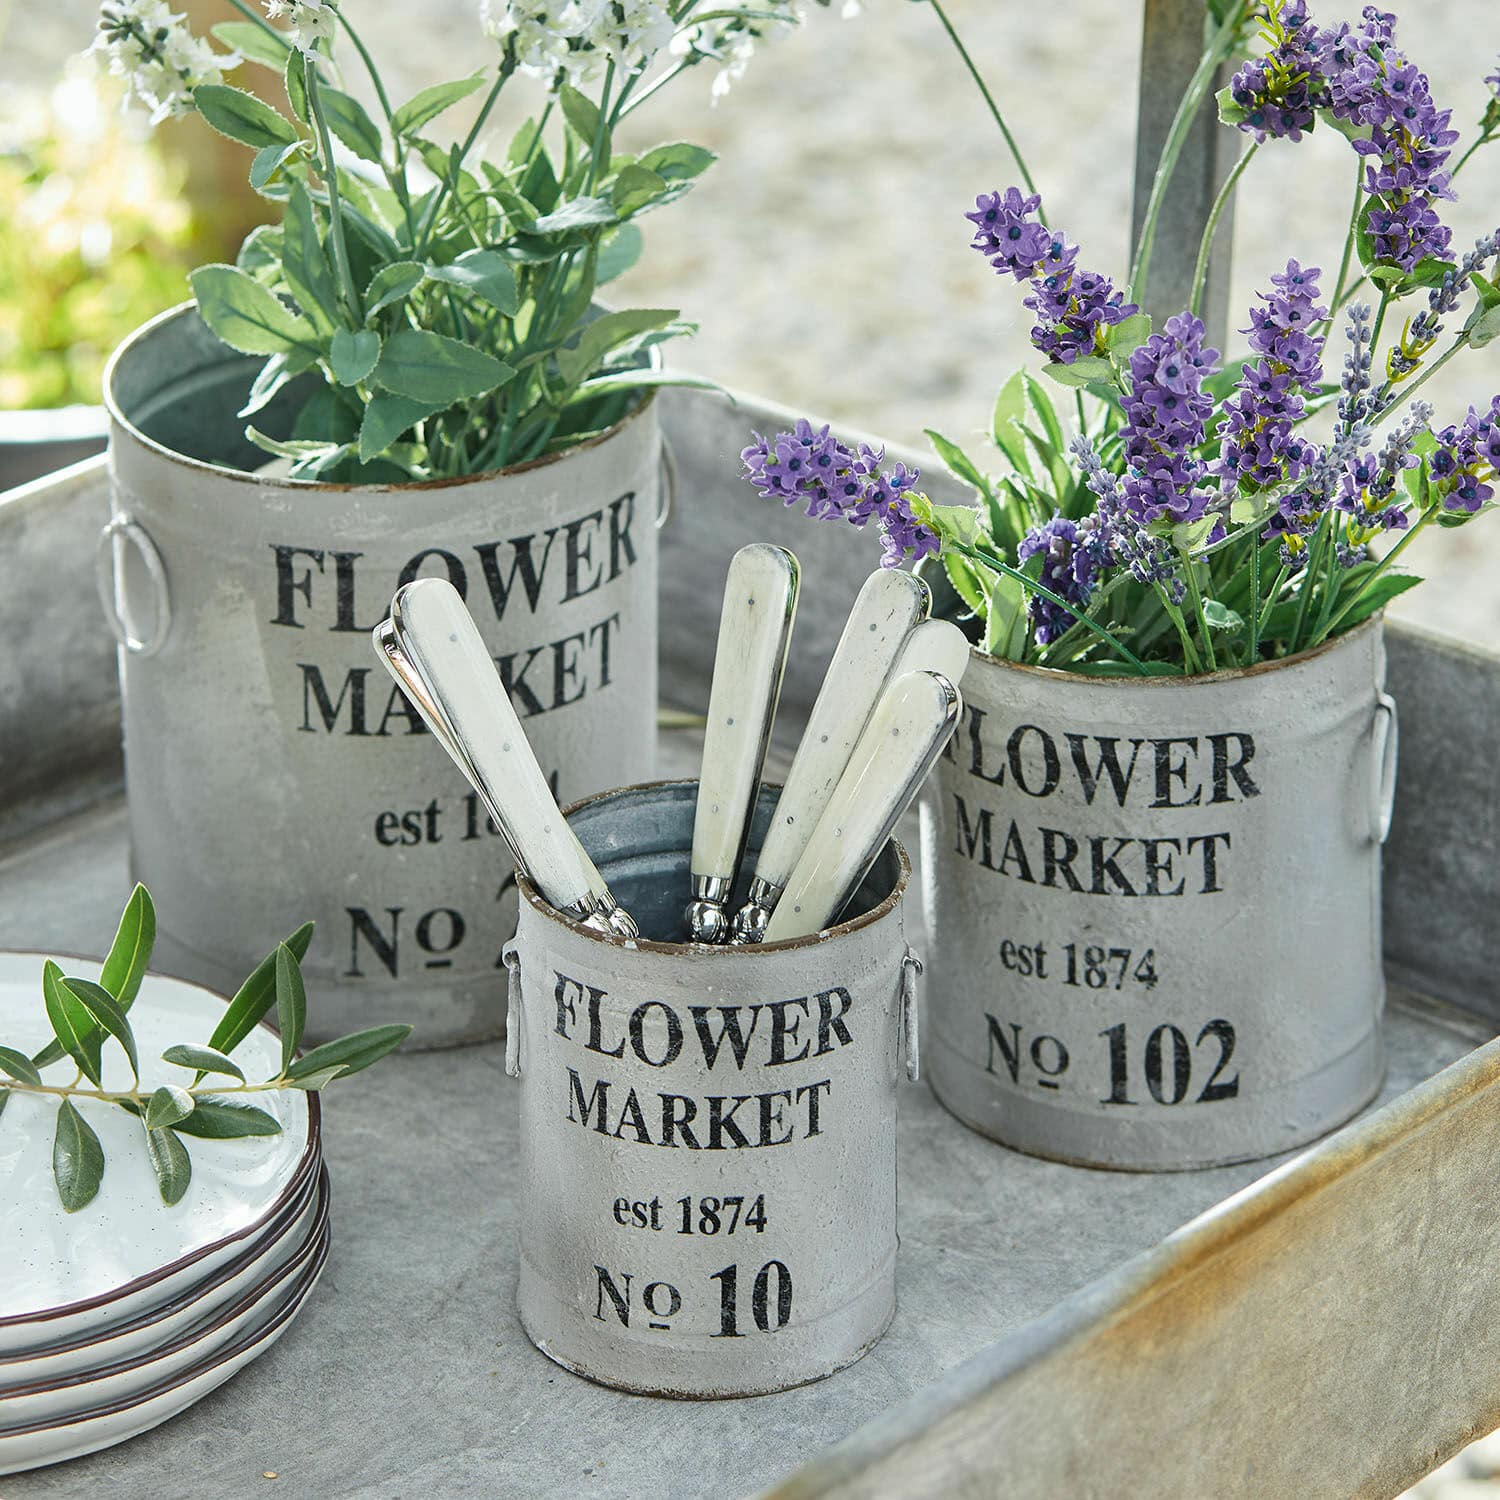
(85, 1015)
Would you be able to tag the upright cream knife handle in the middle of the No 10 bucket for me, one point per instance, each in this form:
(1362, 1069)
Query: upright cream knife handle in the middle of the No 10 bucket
(755, 629)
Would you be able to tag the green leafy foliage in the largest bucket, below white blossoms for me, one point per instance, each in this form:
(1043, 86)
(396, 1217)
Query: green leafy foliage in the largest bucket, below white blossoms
(454, 316)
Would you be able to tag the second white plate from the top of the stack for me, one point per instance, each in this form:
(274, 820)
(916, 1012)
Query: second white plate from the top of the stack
(196, 1309)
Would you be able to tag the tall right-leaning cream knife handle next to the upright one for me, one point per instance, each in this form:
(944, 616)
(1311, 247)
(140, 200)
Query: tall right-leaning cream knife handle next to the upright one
(889, 608)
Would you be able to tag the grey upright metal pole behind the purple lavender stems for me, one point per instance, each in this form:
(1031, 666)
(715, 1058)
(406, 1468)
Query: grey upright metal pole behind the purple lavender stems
(1172, 46)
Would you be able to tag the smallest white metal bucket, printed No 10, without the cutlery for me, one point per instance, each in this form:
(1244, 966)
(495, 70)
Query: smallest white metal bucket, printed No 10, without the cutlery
(709, 1135)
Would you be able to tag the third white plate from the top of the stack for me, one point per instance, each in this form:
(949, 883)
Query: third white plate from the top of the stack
(125, 1381)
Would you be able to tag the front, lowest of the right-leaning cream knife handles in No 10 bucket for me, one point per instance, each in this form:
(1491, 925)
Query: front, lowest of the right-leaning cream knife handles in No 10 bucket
(908, 731)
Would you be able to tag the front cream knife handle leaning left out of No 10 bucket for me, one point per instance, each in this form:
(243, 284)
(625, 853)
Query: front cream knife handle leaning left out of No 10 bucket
(446, 650)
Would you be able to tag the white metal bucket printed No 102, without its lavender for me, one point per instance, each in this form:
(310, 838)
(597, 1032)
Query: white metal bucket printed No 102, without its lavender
(1154, 908)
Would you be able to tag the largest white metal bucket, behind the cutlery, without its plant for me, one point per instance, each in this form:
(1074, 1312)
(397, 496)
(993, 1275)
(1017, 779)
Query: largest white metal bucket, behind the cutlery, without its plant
(274, 772)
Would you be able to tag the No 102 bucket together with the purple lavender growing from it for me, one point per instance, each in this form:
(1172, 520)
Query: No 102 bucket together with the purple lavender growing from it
(1153, 854)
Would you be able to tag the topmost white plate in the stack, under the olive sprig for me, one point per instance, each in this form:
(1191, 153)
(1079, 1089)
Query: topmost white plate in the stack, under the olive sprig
(73, 1274)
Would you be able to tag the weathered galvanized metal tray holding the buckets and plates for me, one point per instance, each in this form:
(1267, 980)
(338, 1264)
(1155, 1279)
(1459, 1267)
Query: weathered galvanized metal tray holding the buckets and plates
(1318, 1330)
